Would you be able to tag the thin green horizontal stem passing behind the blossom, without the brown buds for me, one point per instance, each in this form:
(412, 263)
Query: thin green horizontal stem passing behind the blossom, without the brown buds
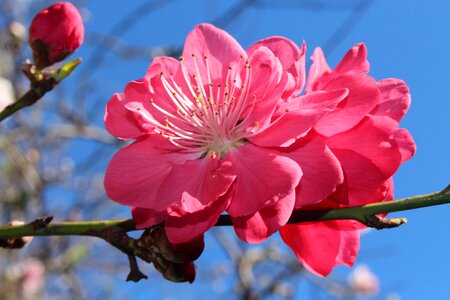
(361, 213)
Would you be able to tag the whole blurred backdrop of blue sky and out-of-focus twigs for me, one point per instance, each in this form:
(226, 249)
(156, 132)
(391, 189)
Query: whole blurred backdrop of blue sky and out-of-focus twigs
(54, 154)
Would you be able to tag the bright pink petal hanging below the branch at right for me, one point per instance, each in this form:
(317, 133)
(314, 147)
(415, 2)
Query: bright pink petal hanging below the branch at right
(320, 247)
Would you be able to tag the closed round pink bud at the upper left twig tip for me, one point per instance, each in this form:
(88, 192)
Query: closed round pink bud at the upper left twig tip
(55, 33)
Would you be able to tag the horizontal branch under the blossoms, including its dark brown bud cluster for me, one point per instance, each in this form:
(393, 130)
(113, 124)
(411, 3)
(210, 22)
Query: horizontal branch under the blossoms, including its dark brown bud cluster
(153, 246)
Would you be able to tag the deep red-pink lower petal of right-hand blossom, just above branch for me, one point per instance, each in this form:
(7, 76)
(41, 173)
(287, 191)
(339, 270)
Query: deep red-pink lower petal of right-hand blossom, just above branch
(363, 181)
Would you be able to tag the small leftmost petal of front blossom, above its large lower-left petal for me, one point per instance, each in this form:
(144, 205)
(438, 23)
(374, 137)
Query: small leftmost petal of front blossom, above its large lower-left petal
(119, 121)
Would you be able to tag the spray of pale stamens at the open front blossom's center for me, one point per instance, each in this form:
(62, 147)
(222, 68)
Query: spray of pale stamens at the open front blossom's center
(211, 117)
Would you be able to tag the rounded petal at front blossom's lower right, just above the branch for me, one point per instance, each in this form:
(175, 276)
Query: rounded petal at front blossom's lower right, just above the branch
(322, 172)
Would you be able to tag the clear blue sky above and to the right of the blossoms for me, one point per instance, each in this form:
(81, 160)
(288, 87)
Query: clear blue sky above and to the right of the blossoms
(407, 39)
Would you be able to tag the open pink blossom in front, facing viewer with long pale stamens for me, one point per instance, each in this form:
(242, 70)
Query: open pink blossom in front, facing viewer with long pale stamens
(212, 132)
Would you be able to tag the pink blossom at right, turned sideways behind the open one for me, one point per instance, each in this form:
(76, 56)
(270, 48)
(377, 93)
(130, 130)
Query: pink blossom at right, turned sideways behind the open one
(363, 137)
